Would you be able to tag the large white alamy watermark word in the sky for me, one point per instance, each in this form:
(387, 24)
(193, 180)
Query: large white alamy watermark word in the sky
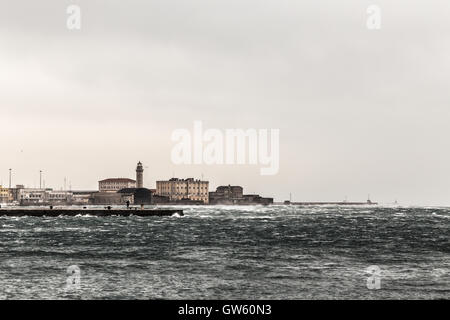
(228, 147)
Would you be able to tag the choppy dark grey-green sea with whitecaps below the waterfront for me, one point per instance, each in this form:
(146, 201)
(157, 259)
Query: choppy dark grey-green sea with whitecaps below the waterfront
(275, 252)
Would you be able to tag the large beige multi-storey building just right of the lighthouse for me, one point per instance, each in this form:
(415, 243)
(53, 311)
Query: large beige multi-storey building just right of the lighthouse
(181, 189)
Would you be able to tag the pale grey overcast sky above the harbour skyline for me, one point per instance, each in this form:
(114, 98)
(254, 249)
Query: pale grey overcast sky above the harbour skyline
(359, 111)
